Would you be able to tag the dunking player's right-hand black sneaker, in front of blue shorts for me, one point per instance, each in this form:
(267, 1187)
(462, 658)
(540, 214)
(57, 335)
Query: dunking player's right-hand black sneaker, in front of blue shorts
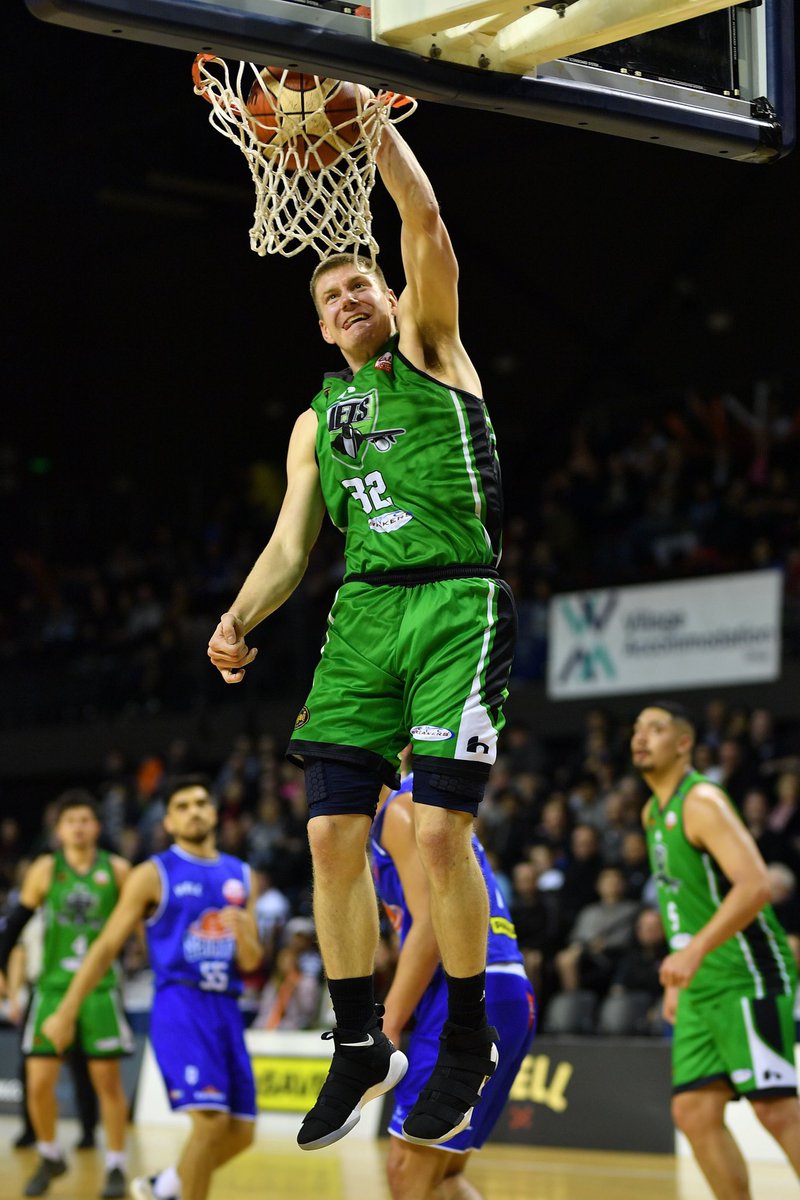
(467, 1059)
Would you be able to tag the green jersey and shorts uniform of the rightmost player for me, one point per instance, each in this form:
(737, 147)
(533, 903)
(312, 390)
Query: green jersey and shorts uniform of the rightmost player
(736, 1018)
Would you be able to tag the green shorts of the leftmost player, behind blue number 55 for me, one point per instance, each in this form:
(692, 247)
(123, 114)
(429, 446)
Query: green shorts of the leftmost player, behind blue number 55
(103, 1030)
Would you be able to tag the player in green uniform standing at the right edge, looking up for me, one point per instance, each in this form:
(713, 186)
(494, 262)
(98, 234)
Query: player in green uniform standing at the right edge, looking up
(731, 979)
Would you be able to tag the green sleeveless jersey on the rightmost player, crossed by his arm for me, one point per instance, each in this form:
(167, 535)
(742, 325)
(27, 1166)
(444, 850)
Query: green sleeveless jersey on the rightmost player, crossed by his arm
(757, 961)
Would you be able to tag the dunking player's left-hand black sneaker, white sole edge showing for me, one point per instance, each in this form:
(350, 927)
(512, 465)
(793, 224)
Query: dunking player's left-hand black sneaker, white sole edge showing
(365, 1065)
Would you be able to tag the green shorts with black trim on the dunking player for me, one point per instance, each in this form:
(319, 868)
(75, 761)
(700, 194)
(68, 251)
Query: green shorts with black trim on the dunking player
(426, 664)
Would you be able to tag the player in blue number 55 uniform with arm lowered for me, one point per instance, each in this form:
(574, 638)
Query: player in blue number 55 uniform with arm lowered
(201, 937)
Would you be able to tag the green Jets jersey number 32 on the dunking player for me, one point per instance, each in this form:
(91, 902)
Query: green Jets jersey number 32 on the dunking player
(408, 469)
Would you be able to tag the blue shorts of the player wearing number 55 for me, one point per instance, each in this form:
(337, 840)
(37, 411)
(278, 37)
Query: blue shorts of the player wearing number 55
(199, 1039)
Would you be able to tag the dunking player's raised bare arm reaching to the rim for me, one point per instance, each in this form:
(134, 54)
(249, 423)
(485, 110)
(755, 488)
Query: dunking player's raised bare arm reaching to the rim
(428, 316)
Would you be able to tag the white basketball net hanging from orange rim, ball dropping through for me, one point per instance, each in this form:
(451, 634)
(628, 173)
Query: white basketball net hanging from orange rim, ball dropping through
(302, 199)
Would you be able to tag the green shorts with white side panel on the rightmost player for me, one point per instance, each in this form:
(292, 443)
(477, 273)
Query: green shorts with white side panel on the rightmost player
(747, 1042)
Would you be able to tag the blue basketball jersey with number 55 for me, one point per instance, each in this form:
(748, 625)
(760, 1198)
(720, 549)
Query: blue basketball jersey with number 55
(188, 941)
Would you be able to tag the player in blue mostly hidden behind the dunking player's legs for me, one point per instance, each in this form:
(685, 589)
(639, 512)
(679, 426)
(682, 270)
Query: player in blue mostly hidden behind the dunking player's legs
(426, 1173)
